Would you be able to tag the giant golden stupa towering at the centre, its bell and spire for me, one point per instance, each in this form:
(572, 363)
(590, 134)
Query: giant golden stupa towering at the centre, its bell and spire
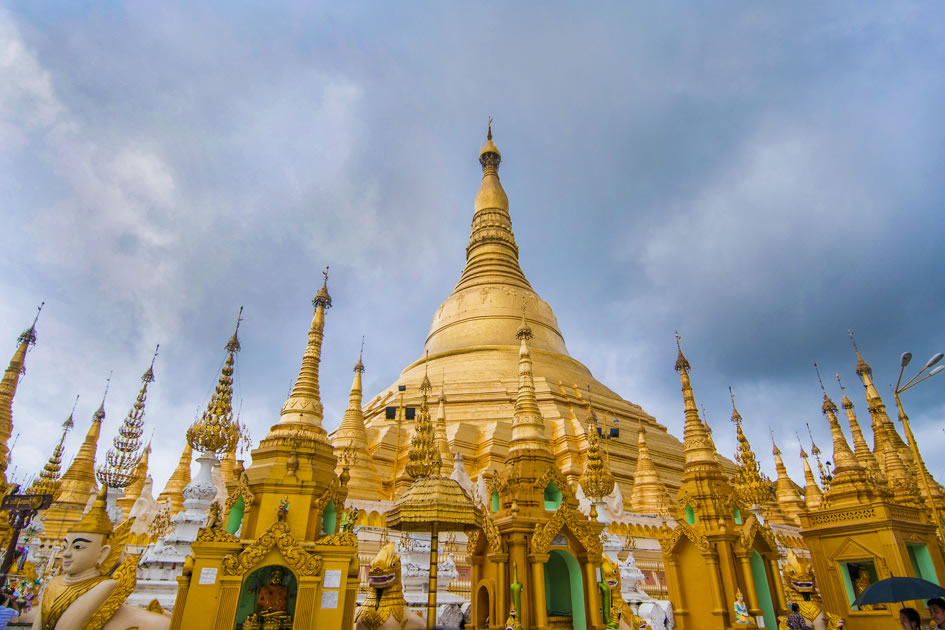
(471, 351)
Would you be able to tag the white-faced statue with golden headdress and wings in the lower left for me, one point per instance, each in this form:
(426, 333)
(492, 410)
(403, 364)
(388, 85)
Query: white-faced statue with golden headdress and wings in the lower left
(84, 597)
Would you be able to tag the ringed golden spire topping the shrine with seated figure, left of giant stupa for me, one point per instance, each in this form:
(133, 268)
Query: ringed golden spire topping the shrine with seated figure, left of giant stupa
(303, 409)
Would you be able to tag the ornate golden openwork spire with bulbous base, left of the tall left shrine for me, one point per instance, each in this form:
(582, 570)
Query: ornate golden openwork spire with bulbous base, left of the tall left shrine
(214, 432)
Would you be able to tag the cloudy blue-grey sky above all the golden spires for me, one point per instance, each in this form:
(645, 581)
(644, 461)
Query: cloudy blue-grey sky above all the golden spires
(759, 177)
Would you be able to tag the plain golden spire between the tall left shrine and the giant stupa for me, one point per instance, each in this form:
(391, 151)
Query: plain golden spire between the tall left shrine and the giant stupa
(350, 444)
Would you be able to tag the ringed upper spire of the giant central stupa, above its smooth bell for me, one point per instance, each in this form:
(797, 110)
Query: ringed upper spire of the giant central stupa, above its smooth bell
(491, 254)
